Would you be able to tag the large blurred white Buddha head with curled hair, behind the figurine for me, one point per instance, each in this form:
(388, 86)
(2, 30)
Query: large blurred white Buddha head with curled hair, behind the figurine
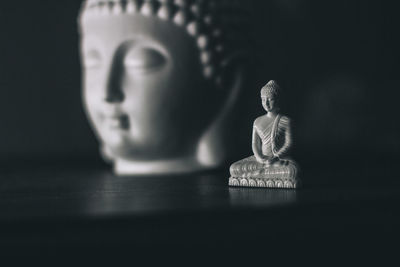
(160, 78)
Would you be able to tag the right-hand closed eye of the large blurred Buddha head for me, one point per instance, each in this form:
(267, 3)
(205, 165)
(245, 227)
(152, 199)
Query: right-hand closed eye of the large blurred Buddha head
(144, 59)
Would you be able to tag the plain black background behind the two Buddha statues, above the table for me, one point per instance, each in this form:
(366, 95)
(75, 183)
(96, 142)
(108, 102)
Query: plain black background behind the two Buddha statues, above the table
(338, 62)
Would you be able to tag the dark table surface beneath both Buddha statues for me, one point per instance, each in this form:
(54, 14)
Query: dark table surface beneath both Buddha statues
(339, 211)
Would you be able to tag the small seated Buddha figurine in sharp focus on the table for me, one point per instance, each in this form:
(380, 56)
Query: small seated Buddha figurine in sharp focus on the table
(270, 165)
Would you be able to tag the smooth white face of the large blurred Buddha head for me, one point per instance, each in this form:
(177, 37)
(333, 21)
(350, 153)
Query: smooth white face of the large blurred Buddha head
(143, 86)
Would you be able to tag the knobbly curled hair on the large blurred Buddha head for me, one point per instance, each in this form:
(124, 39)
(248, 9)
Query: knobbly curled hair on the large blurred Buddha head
(219, 27)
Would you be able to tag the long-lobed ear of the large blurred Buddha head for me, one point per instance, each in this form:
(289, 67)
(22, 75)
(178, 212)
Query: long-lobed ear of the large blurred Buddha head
(216, 145)
